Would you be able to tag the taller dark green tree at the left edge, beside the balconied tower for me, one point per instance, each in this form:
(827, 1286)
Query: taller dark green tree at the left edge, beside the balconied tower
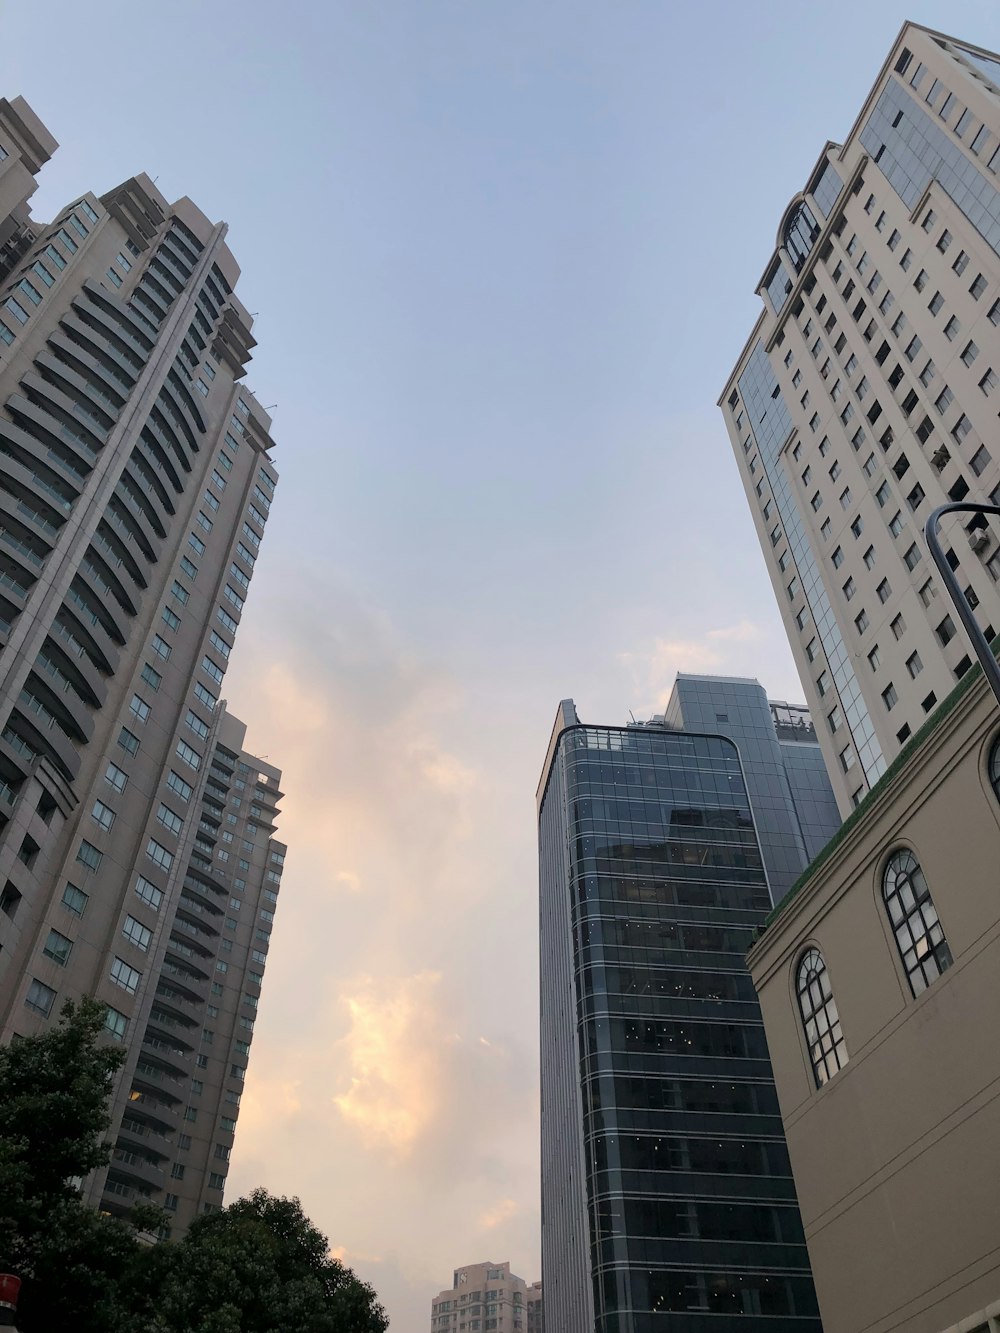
(54, 1114)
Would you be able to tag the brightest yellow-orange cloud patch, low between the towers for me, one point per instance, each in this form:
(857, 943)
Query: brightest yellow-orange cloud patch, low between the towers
(394, 1094)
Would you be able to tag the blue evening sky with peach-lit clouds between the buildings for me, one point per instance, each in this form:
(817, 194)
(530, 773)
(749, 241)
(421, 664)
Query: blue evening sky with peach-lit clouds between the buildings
(502, 259)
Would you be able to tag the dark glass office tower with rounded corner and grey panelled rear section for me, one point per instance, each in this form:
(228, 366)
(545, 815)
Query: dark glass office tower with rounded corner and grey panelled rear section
(666, 1188)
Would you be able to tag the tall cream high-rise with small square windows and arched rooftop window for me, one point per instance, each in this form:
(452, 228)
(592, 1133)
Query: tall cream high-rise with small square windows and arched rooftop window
(869, 394)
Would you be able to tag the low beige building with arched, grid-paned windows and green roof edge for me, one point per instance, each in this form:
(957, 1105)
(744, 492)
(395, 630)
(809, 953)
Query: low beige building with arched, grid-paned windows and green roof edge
(879, 980)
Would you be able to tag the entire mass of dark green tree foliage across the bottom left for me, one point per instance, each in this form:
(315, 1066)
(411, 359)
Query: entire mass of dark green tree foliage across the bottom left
(257, 1267)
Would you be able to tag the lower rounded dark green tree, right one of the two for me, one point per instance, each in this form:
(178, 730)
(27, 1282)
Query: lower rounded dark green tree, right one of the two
(261, 1267)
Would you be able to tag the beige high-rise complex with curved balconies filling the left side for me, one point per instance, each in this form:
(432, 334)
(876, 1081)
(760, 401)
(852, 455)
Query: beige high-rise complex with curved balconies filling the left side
(137, 854)
